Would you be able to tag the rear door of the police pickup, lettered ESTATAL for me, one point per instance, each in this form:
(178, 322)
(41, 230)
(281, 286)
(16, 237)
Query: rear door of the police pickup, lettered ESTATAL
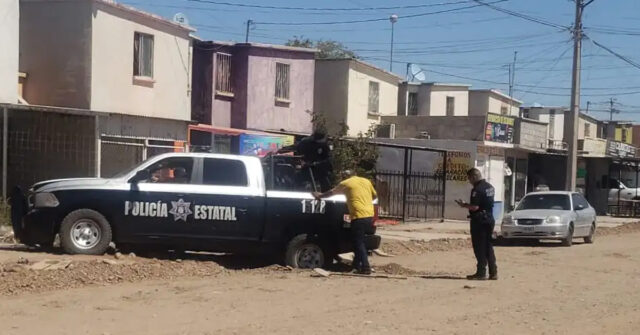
(228, 201)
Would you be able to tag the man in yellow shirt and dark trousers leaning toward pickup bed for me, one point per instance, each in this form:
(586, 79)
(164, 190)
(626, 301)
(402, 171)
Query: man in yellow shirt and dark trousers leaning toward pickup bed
(360, 194)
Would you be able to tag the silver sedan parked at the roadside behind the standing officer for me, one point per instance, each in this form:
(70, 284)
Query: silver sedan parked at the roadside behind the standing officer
(551, 215)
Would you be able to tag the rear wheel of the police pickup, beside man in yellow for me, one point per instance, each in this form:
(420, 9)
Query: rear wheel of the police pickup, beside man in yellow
(304, 252)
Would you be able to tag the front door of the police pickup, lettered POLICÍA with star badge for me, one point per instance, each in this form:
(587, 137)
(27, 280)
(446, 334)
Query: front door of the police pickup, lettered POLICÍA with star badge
(159, 207)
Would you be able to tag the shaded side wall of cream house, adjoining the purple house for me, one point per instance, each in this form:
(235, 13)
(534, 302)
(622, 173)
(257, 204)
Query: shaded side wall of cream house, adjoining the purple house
(331, 89)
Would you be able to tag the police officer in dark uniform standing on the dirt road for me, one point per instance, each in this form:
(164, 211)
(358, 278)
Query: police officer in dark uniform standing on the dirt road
(480, 209)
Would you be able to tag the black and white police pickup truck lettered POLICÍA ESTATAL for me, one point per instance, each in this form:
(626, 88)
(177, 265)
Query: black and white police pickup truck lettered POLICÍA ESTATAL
(191, 201)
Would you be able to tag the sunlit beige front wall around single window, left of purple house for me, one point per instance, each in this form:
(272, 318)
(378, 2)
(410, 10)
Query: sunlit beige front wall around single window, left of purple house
(113, 86)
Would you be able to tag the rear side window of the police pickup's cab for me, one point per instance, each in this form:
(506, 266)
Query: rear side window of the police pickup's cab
(224, 172)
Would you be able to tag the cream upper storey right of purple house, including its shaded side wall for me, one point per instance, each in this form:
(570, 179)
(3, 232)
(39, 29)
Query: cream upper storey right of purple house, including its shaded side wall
(354, 93)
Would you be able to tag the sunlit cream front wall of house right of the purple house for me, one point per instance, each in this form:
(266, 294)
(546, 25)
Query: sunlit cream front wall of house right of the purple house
(358, 118)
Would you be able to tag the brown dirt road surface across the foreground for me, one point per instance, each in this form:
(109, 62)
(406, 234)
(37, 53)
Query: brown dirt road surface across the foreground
(543, 289)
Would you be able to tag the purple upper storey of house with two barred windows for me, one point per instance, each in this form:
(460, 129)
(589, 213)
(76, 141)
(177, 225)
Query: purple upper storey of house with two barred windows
(253, 86)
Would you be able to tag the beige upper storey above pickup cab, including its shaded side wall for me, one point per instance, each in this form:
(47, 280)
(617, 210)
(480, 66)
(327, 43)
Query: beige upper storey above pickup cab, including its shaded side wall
(104, 56)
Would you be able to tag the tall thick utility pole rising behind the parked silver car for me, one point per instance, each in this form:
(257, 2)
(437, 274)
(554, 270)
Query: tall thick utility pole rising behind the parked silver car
(571, 127)
